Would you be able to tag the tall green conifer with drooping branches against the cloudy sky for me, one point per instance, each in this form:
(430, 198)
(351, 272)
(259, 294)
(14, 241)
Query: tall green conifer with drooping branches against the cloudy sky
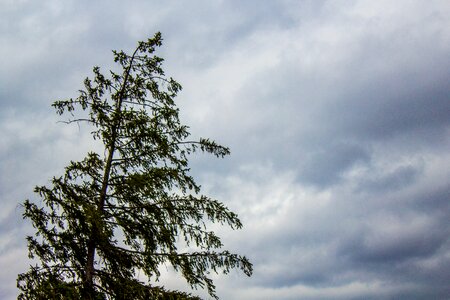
(134, 206)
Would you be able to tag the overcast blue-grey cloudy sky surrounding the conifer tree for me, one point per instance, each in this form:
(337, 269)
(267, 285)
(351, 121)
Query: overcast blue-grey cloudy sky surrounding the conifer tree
(337, 114)
